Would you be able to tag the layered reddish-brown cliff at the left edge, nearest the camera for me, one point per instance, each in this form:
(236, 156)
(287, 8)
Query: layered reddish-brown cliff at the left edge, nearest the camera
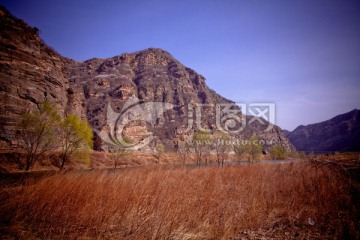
(29, 72)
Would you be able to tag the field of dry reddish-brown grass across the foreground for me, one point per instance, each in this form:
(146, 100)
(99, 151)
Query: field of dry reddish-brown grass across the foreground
(283, 201)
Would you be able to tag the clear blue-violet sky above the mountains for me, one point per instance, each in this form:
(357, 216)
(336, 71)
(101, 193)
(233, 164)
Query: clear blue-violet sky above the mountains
(302, 55)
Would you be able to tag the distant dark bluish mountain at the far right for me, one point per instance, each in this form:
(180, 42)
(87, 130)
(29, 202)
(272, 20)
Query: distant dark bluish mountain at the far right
(341, 133)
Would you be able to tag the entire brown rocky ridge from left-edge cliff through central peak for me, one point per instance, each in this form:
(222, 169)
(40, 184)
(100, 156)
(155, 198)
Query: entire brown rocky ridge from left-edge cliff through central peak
(99, 89)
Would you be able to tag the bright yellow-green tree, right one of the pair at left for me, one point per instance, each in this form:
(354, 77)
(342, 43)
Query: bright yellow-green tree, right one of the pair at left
(75, 138)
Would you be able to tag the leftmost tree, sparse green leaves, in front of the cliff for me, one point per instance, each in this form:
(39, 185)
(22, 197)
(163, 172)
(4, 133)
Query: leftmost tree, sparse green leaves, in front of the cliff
(37, 131)
